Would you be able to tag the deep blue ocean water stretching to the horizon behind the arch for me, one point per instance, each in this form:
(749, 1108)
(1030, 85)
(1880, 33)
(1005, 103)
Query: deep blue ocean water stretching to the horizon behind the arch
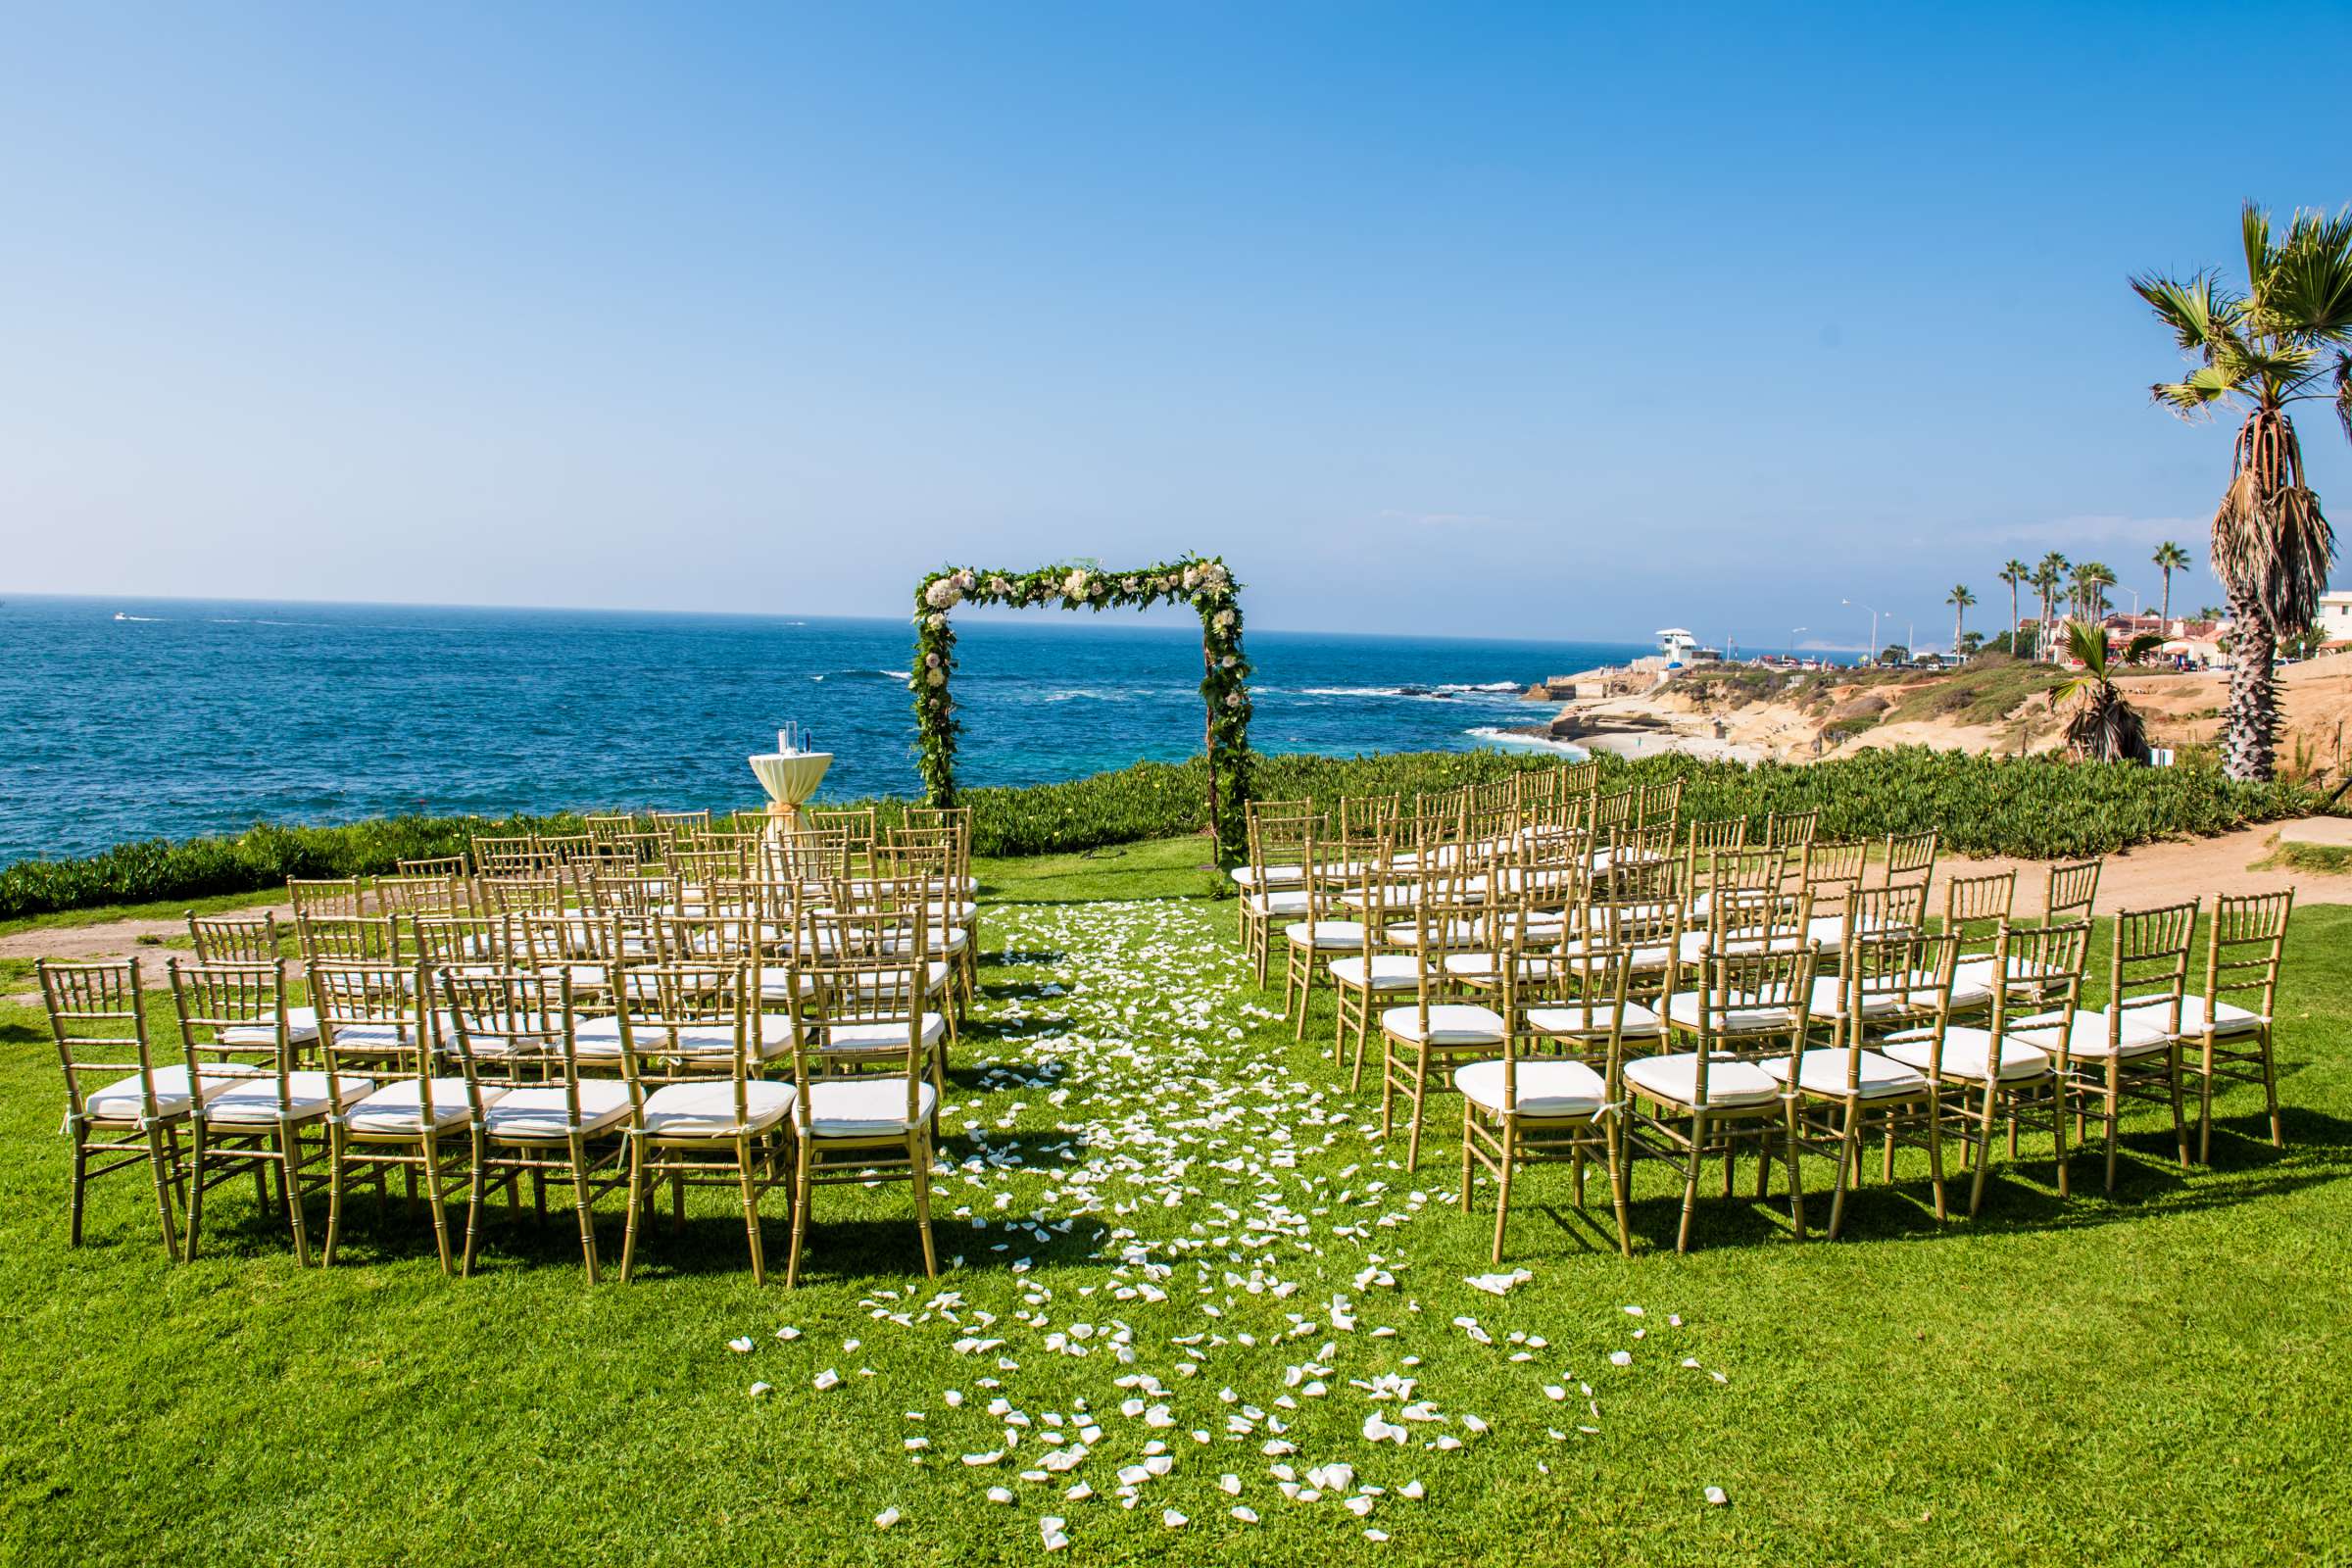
(142, 718)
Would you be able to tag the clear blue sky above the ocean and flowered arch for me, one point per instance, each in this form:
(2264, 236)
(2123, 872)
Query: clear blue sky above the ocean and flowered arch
(1514, 321)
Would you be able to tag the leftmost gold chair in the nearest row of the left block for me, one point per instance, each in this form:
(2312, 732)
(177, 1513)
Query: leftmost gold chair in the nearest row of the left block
(123, 1108)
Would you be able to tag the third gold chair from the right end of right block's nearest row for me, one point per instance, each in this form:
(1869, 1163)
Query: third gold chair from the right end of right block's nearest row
(1989, 1076)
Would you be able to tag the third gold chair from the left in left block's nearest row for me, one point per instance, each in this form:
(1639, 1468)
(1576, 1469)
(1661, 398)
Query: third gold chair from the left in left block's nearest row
(422, 1113)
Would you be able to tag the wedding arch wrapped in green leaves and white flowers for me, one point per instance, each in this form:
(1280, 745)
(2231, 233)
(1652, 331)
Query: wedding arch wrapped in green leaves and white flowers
(1201, 582)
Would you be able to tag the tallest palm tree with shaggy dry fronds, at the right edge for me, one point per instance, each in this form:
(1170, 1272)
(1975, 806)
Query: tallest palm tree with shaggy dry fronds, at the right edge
(2283, 342)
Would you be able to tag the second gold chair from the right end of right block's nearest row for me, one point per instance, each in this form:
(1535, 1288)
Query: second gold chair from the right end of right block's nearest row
(2132, 1047)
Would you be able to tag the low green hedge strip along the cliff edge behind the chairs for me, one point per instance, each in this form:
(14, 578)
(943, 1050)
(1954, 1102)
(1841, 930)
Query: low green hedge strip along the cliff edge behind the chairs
(2033, 808)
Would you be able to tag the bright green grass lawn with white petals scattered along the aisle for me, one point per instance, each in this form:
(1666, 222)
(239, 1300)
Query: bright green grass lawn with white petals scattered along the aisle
(1189, 1278)
